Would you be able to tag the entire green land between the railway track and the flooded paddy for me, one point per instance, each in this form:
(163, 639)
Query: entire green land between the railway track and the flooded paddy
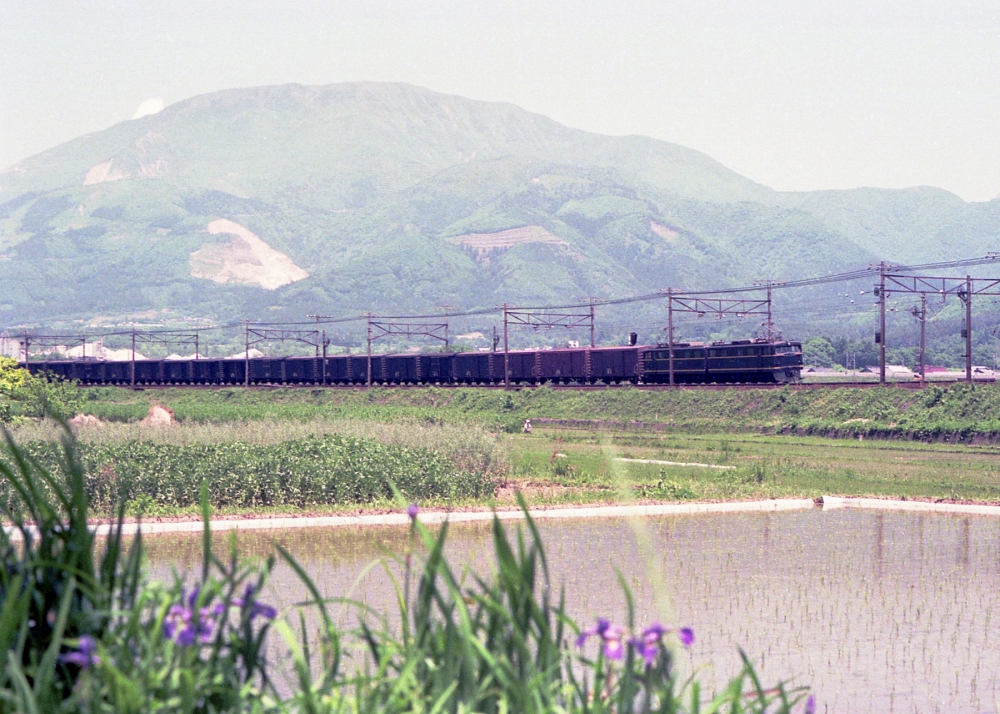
(587, 447)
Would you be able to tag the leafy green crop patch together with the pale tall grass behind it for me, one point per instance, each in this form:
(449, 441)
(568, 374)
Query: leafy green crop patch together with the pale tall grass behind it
(268, 466)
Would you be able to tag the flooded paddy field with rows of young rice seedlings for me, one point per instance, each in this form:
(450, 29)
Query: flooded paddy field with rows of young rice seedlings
(878, 612)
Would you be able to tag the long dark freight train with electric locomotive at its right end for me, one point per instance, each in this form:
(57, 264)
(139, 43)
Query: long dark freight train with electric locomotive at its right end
(742, 361)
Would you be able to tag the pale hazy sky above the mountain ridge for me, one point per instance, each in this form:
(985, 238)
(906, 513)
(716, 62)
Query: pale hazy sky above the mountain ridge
(796, 95)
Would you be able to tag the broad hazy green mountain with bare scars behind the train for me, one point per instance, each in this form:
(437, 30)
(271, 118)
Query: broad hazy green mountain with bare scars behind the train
(292, 200)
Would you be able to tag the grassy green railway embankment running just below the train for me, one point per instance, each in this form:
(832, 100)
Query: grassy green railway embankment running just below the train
(957, 413)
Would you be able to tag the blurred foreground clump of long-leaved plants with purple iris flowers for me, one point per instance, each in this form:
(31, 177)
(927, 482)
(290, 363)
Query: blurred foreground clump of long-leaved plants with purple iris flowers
(84, 631)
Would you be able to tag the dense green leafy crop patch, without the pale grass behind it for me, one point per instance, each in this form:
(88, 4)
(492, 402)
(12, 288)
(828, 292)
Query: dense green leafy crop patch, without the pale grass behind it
(301, 473)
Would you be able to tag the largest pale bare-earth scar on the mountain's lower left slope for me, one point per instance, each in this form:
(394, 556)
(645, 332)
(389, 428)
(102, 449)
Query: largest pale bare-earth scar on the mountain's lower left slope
(244, 259)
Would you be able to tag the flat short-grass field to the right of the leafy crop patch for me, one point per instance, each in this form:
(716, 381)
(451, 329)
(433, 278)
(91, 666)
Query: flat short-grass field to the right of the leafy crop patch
(584, 465)
